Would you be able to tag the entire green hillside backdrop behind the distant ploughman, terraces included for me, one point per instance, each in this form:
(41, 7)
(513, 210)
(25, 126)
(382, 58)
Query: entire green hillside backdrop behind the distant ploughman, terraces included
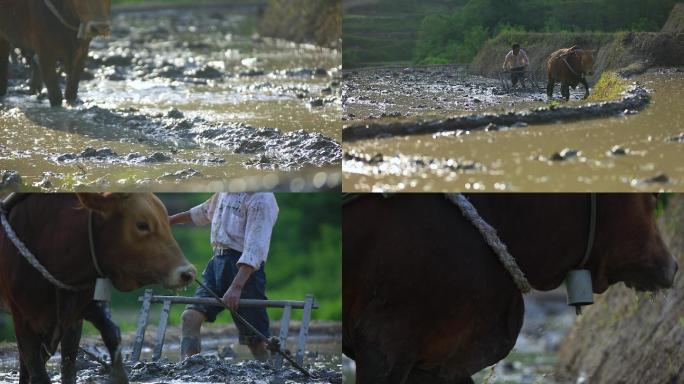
(438, 32)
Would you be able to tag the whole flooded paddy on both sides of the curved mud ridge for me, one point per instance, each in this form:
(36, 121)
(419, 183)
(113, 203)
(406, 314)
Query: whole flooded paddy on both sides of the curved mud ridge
(632, 150)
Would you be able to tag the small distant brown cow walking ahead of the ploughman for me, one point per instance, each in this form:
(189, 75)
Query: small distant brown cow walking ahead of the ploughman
(569, 66)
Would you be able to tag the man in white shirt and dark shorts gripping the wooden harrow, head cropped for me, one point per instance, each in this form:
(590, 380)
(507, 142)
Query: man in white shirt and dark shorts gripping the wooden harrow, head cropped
(241, 226)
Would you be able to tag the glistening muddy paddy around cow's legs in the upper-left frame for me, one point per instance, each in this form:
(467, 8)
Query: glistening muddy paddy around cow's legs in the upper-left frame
(183, 100)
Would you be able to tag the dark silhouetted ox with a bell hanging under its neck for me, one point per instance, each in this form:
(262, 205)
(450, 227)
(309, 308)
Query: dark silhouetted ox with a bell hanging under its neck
(425, 299)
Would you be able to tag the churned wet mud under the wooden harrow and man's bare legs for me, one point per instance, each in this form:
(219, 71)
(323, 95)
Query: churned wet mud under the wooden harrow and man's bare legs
(222, 360)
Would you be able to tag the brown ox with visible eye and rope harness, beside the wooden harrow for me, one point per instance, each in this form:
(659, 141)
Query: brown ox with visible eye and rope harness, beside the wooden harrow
(134, 247)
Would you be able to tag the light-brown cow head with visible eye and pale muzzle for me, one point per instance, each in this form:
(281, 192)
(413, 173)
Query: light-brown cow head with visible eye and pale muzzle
(134, 241)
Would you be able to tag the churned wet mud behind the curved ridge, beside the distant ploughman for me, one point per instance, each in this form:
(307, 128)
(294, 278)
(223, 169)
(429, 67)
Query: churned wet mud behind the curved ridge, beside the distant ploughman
(431, 92)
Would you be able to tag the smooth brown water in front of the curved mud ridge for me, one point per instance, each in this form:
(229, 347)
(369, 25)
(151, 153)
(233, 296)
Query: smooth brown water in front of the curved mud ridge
(641, 151)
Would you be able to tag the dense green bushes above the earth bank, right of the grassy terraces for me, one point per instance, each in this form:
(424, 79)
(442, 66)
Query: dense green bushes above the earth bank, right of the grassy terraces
(457, 36)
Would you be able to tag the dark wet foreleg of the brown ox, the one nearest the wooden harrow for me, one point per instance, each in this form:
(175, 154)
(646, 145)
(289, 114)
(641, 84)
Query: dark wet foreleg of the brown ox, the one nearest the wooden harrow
(98, 314)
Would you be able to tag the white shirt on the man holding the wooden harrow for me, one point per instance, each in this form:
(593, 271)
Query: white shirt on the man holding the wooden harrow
(240, 221)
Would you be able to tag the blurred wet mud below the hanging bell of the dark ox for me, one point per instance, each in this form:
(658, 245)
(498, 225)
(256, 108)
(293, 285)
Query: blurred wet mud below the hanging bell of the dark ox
(532, 360)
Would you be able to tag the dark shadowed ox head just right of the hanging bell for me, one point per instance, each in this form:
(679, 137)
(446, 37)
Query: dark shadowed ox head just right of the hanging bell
(629, 247)
